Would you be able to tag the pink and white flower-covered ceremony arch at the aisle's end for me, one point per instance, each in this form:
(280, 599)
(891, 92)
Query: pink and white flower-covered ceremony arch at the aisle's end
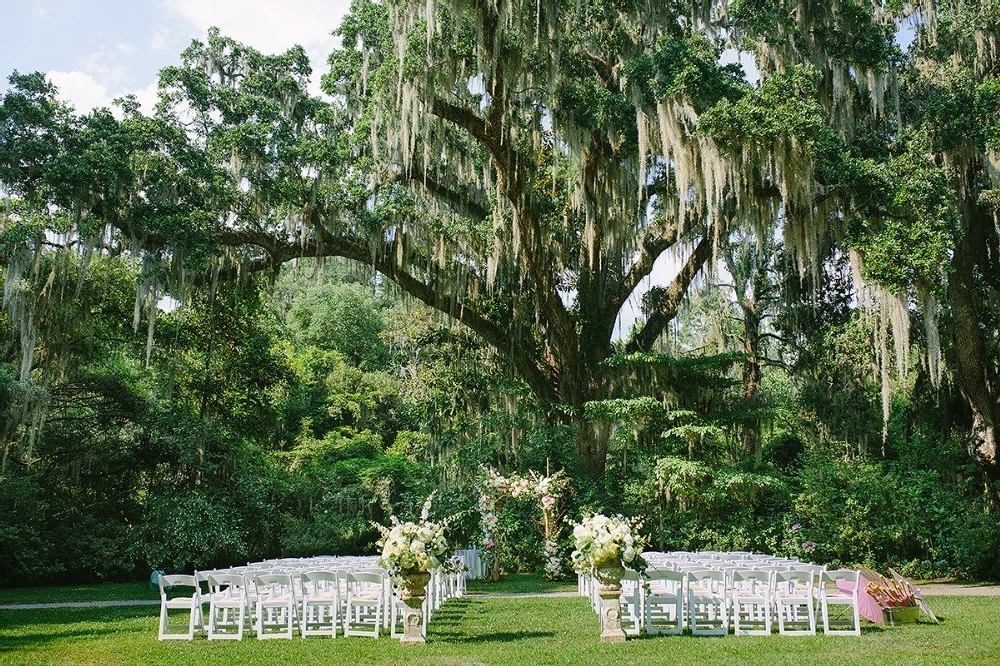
(546, 489)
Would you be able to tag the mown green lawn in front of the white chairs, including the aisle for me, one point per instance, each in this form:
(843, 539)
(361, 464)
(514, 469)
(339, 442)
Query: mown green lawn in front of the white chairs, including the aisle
(561, 630)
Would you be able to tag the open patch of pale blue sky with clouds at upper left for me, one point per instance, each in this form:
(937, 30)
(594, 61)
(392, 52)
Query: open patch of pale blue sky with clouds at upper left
(97, 50)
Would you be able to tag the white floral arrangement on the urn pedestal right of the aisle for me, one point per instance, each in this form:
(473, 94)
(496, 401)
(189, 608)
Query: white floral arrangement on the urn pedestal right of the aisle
(603, 541)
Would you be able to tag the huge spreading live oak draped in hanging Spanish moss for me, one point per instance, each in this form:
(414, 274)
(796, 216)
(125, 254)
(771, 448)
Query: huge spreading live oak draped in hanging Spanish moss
(521, 166)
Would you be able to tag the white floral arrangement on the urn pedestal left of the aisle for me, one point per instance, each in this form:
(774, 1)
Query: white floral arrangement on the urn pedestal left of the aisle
(412, 546)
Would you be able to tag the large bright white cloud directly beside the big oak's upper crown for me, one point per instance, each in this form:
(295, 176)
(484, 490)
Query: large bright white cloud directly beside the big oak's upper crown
(270, 26)
